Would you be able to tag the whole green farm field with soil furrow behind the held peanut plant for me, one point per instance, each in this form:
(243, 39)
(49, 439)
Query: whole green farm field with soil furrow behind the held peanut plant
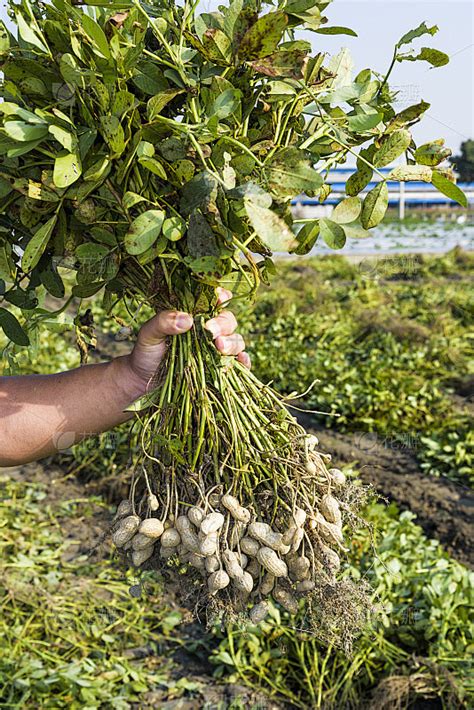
(387, 342)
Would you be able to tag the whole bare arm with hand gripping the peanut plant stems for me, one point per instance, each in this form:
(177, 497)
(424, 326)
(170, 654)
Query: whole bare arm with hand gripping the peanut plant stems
(41, 414)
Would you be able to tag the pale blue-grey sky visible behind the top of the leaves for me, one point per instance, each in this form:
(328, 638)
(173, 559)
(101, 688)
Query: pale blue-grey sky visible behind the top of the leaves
(379, 24)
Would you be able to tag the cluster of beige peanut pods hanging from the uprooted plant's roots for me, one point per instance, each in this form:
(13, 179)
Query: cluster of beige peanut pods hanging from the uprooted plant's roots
(237, 553)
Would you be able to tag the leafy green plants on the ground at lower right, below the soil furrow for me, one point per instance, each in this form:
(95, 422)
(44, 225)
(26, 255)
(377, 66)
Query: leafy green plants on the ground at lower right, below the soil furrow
(421, 623)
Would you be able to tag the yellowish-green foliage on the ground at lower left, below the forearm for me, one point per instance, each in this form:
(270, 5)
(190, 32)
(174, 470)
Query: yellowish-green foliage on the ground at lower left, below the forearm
(68, 622)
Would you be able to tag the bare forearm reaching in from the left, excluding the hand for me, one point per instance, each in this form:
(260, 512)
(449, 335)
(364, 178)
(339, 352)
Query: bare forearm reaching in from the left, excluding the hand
(41, 414)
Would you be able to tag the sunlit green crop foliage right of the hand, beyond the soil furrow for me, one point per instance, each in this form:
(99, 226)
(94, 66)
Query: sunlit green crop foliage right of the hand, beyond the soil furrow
(387, 341)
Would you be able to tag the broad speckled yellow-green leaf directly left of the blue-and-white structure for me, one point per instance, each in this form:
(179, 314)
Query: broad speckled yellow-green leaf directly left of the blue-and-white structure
(290, 172)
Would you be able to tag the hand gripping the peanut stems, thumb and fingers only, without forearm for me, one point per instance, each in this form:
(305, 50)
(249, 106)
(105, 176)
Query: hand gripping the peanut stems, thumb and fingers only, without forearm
(151, 345)
